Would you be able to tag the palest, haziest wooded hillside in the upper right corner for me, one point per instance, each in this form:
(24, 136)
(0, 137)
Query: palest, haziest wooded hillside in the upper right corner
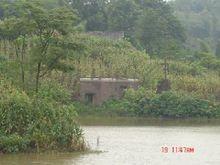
(200, 18)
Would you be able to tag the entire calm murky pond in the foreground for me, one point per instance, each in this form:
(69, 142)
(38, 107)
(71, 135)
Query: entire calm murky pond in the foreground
(136, 143)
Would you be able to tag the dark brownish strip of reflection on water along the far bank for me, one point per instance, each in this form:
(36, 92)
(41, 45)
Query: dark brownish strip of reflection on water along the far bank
(128, 121)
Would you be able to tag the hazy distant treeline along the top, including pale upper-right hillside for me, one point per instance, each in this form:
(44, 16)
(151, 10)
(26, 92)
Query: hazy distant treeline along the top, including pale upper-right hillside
(175, 28)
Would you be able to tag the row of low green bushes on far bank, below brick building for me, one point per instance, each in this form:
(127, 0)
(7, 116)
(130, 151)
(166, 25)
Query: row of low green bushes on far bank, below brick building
(147, 103)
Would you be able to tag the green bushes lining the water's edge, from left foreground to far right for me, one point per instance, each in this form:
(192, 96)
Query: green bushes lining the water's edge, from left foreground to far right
(48, 120)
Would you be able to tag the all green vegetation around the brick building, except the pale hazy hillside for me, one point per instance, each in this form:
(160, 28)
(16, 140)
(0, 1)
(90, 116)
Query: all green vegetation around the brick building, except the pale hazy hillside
(45, 48)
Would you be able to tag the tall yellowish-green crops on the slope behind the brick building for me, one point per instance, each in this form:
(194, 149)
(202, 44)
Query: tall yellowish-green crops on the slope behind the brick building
(107, 58)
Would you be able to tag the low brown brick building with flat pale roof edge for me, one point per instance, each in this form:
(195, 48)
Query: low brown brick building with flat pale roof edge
(98, 90)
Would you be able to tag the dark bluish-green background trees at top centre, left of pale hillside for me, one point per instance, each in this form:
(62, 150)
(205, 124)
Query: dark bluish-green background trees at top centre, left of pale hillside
(147, 24)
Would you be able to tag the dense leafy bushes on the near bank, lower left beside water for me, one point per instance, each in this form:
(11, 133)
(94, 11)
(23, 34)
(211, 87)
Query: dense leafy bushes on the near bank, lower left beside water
(40, 122)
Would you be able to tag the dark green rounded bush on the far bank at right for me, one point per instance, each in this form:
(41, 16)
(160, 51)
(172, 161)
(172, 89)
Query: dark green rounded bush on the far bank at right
(171, 104)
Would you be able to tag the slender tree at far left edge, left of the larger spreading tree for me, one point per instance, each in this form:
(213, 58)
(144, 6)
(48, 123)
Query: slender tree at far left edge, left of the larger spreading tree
(16, 27)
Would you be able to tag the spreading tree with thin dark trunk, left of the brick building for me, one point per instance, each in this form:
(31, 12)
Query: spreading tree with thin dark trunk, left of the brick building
(50, 25)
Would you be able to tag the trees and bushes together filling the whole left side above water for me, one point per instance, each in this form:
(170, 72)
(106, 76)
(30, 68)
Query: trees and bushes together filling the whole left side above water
(35, 112)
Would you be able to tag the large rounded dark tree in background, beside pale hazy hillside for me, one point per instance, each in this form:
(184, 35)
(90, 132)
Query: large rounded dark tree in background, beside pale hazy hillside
(155, 32)
